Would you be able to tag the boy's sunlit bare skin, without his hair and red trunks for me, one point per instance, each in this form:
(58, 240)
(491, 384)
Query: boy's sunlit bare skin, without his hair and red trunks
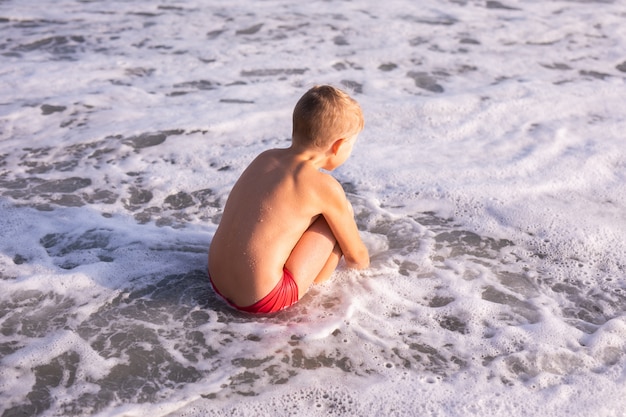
(284, 212)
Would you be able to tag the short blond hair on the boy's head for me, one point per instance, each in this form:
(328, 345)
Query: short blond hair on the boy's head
(325, 114)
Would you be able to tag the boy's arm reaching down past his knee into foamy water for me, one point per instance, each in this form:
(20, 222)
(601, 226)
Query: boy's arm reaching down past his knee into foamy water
(339, 215)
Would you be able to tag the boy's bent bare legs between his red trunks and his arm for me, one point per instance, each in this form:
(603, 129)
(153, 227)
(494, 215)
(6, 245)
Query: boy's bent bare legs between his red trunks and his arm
(315, 256)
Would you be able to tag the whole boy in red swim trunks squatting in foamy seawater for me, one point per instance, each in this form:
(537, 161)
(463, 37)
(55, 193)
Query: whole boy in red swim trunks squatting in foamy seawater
(286, 224)
